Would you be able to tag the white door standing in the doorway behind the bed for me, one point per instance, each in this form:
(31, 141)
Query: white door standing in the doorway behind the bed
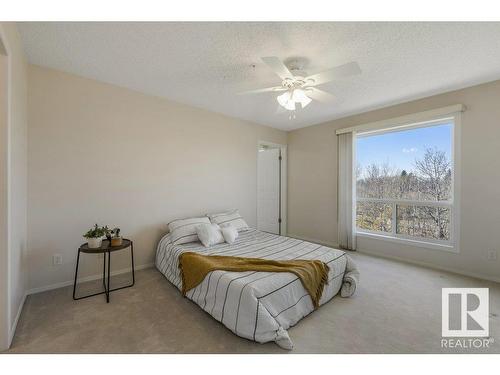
(268, 190)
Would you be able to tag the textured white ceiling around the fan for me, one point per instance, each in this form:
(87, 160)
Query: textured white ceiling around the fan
(207, 64)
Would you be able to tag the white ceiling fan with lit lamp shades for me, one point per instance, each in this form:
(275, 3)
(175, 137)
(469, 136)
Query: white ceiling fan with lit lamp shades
(298, 88)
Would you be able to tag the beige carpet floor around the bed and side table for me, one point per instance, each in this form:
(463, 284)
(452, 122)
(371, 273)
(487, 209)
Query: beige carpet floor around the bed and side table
(397, 309)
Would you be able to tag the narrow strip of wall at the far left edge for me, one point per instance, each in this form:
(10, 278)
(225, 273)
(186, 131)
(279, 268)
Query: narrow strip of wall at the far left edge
(16, 147)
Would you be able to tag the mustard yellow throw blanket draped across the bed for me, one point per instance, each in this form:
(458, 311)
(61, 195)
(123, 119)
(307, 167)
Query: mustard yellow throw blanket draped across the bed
(312, 273)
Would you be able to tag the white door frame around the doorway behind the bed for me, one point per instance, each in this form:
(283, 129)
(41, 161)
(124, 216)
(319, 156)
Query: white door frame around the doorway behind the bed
(283, 183)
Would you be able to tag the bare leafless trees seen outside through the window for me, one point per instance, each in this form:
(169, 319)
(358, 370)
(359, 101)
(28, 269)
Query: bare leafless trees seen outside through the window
(430, 179)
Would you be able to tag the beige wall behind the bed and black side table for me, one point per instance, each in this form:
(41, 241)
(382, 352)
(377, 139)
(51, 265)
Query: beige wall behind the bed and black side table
(100, 153)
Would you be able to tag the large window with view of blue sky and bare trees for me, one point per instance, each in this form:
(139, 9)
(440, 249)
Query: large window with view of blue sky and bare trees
(405, 183)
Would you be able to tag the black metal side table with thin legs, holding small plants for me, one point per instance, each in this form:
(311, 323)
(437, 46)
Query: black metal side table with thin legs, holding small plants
(105, 248)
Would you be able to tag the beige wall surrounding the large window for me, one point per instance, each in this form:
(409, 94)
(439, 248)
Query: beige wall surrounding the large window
(312, 185)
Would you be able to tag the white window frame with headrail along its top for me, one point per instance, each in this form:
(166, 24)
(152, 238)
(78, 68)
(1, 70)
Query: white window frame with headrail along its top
(419, 120)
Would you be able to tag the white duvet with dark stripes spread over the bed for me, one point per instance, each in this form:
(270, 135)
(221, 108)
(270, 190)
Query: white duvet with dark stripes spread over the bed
(259, 306)
